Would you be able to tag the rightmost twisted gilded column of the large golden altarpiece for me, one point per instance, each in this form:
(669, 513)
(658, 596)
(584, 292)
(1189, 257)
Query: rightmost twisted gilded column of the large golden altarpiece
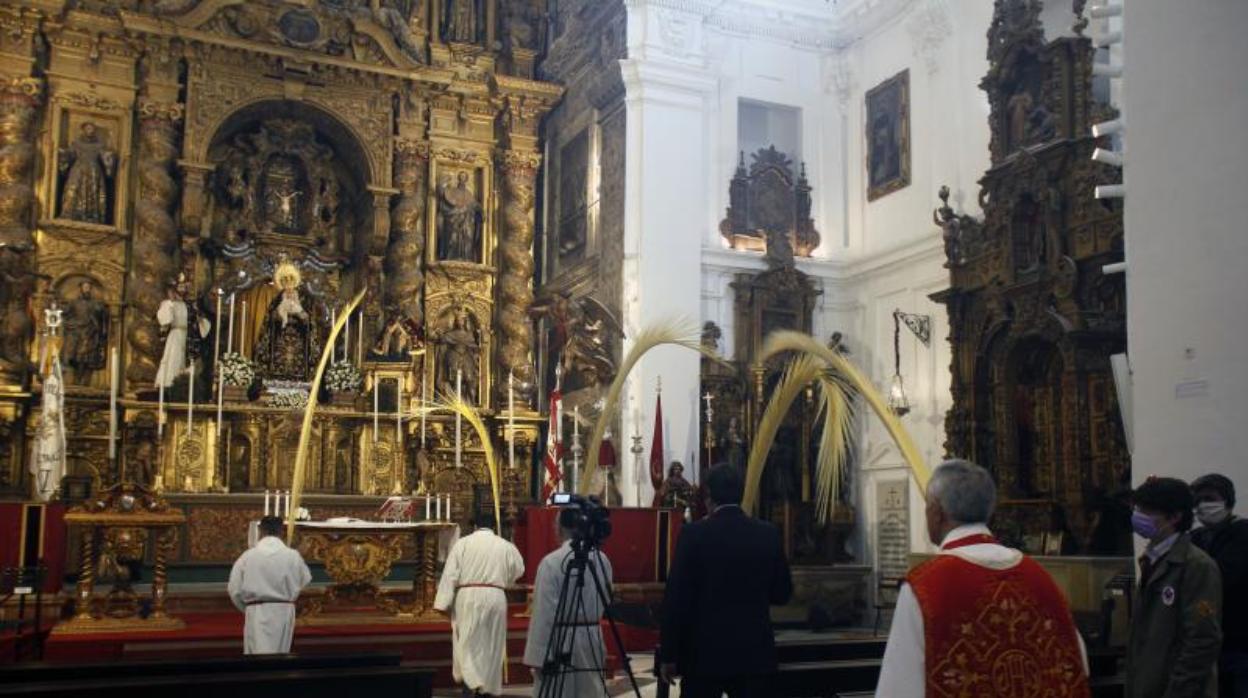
(516, 278)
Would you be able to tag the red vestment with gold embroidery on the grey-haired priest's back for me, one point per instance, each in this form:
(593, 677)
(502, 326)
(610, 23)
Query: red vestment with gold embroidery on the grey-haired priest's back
(1003, 634)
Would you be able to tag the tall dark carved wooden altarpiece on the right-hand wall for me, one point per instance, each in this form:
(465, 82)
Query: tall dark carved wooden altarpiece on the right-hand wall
(1034, 319)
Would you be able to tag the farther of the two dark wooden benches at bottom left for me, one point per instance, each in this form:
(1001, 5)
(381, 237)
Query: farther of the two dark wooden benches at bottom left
(44, 672)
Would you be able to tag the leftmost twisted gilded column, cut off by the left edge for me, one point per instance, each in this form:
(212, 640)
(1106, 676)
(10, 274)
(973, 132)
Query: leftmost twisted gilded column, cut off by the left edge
(19, 104)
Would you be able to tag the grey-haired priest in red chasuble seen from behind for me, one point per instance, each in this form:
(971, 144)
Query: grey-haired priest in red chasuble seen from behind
(979, 619)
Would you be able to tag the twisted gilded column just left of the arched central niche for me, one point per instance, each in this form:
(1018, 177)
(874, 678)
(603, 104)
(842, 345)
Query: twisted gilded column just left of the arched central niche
(155, 238)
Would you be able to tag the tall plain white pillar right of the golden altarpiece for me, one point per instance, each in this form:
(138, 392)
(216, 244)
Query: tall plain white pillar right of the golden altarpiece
(668, 165)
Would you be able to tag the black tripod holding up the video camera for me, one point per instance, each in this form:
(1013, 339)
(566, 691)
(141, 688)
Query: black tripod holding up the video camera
(570, 617)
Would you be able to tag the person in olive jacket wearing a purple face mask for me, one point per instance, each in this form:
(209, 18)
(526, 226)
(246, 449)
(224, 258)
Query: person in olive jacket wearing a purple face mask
(1176, 630)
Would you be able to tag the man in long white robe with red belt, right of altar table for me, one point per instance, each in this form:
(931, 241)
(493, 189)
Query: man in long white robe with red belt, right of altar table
(472, 591)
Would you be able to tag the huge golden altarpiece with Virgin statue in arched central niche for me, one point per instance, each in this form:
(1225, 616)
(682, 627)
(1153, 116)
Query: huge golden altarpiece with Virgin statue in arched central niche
(203, 187)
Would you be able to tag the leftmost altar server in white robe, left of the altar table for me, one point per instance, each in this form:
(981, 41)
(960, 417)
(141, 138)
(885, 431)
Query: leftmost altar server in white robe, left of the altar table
(265, 584)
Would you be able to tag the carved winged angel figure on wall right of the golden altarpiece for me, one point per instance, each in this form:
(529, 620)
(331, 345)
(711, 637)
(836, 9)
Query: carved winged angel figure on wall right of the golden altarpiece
(586, 332)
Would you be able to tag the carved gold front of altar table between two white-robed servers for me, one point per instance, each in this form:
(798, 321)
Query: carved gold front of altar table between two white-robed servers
(359, 556)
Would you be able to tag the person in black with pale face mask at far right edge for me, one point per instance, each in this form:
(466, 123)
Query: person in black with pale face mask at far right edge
(1225, 538)
